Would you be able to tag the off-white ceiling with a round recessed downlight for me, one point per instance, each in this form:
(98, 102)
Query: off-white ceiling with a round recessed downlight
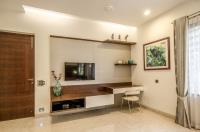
(127, 12)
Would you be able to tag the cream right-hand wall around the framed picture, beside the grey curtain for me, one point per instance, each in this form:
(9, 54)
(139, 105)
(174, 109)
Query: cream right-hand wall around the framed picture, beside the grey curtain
(161, 96)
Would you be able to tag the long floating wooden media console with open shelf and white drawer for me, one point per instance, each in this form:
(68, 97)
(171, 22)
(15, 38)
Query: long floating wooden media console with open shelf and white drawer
(79, 98)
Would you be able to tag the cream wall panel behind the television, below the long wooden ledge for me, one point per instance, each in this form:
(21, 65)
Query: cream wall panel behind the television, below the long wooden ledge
(103, 55)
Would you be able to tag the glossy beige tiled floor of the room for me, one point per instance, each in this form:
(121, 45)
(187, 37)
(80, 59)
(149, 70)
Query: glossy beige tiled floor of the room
(96, 121)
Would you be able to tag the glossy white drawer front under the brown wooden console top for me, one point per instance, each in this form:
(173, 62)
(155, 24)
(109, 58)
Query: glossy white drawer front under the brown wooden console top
(100, 100)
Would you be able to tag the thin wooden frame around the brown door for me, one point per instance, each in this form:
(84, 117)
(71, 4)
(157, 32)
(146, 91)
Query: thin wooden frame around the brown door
(32, 35)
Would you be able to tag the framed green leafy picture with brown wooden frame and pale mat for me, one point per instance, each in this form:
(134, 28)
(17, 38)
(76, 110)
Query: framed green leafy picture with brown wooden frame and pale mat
(157, 55)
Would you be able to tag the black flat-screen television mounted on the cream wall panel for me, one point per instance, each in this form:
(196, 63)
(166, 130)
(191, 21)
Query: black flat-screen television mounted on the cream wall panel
(79, 71)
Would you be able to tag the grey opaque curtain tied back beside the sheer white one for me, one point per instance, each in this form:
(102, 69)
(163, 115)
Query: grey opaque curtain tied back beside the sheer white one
(180, 49)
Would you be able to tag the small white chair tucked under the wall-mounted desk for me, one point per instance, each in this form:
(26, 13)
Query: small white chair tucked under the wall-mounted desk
(132, 97)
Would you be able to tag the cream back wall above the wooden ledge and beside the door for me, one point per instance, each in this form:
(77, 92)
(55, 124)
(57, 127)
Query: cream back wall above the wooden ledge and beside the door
(42, 25)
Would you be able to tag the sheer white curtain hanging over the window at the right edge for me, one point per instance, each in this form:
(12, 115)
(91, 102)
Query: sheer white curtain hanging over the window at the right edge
(193, 70)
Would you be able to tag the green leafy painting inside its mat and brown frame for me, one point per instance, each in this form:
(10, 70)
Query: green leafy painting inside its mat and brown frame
(156, 56)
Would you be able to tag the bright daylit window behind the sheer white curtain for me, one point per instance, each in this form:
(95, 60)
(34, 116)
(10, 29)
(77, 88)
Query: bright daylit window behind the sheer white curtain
(194, 55)
